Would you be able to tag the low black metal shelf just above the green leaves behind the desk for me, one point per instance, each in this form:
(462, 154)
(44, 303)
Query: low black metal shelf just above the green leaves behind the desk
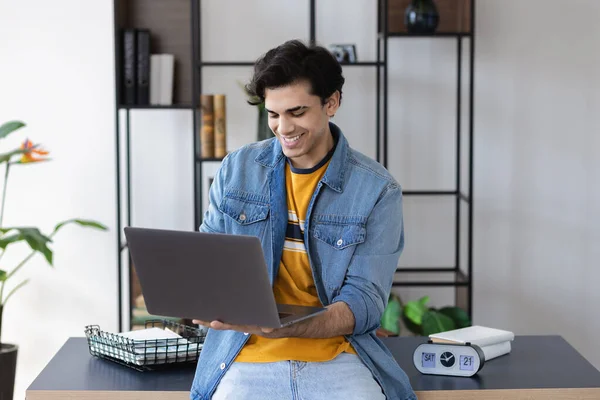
(430, 277)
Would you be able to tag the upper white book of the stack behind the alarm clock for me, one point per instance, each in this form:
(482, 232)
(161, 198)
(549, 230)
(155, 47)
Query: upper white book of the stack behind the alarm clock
(480, 335)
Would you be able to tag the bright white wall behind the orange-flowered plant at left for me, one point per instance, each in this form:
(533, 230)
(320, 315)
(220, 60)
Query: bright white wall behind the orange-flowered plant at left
(56, 75)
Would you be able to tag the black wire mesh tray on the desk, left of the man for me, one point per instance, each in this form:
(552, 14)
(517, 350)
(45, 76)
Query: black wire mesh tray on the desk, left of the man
(148, 355)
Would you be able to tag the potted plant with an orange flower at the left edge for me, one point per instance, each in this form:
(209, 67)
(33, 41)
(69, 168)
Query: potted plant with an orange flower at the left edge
(27, 154)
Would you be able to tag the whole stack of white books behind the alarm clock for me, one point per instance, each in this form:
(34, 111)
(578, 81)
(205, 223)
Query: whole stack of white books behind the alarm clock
(493, 342)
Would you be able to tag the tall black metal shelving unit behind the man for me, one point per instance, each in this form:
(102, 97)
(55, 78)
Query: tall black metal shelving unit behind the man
(462, 280)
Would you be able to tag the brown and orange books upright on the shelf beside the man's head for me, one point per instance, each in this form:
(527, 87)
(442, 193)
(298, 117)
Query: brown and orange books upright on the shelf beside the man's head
(213, 128)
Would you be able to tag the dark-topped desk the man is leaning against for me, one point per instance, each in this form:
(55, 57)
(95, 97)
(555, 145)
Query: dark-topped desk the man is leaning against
(539, 367)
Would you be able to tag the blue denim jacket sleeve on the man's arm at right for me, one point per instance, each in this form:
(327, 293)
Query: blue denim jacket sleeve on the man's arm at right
(369, 276)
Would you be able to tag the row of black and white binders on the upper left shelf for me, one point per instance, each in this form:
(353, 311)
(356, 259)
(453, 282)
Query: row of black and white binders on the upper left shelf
(147, 79)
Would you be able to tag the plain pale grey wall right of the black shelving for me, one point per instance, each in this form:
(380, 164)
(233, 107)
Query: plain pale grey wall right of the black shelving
(537, 183)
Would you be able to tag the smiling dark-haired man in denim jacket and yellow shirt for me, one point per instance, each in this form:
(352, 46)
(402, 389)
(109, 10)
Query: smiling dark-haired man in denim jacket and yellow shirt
(330, 223)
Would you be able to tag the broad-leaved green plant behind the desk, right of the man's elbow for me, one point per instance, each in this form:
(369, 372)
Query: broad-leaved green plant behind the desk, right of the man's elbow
(421, 319)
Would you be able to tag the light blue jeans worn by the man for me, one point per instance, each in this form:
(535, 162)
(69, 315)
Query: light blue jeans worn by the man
(345, 378)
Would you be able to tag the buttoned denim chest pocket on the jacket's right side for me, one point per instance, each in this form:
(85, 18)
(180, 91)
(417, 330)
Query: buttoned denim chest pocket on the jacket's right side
(339, 232)
